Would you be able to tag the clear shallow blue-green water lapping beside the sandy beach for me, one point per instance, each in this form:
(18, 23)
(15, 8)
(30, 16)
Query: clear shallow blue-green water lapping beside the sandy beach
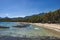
(31, 30)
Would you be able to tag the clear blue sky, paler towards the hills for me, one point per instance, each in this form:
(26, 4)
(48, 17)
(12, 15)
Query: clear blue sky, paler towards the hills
(22, 8)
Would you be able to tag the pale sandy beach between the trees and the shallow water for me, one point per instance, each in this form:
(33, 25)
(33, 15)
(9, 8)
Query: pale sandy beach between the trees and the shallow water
(55, 27)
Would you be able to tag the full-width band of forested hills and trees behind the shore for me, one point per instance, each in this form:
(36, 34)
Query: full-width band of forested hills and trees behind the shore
(50, 17)
